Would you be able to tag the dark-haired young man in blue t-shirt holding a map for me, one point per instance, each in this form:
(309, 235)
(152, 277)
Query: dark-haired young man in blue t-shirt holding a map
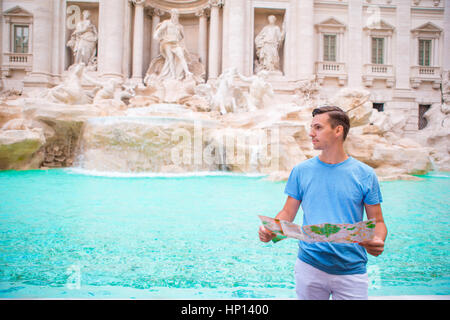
(334, 188)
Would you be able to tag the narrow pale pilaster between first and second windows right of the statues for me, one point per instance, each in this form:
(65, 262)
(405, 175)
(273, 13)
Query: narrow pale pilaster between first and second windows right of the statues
(355, 25)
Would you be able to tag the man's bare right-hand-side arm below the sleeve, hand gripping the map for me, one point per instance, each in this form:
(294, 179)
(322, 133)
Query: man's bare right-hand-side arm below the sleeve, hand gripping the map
(375, 246)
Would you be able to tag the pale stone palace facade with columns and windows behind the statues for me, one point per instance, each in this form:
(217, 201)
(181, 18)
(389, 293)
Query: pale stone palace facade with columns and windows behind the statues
(396, 49)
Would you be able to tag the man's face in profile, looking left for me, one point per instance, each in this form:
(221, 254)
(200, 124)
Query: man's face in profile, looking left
(322, 134)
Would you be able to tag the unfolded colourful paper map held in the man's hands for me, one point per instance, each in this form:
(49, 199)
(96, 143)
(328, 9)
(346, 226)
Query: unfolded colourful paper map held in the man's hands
(324, 232)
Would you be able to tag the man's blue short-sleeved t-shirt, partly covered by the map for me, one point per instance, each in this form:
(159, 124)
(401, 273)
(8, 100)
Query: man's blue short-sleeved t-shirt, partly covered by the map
(333, 193)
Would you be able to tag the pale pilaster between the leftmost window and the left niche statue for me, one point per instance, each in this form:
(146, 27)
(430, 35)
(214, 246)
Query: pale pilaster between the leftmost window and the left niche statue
(40, 75)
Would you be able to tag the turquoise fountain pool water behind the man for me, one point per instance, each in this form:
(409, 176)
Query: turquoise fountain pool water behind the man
(66, 234)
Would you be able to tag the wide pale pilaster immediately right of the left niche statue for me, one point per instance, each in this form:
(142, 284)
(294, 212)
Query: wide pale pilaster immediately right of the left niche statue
(110, 42)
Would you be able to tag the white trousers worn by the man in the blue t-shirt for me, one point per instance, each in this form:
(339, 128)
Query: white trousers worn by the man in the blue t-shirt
(314, 284)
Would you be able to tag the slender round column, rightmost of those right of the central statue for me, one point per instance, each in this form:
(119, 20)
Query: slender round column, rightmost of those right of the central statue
(214, 50)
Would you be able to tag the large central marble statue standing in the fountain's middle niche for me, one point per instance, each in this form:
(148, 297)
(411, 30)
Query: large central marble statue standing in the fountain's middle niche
(170, 35)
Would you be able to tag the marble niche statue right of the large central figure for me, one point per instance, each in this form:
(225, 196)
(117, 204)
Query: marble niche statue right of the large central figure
(267, 44)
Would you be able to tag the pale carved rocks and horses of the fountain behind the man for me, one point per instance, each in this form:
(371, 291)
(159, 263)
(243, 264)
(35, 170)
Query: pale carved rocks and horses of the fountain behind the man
(234, 124)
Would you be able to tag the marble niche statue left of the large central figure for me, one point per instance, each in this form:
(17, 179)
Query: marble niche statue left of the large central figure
(83, 41)
